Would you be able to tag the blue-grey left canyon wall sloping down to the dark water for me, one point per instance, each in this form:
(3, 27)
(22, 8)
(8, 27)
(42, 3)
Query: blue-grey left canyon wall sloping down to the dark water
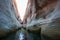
(8, 18)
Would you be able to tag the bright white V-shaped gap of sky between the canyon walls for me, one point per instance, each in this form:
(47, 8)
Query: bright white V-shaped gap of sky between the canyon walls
(21, 7)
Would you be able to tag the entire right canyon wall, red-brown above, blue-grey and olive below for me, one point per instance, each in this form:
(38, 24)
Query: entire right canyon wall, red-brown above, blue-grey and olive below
(45, 15)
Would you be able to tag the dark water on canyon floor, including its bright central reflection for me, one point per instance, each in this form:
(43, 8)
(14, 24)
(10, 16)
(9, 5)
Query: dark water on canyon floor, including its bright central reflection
(23, 35)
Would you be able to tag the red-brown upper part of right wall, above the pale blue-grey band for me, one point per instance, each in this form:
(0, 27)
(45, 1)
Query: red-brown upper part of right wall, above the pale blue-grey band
(38, 9)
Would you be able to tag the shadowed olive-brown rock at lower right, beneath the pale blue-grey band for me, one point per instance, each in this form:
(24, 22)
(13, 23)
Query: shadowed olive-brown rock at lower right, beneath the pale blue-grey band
(51, 30)
